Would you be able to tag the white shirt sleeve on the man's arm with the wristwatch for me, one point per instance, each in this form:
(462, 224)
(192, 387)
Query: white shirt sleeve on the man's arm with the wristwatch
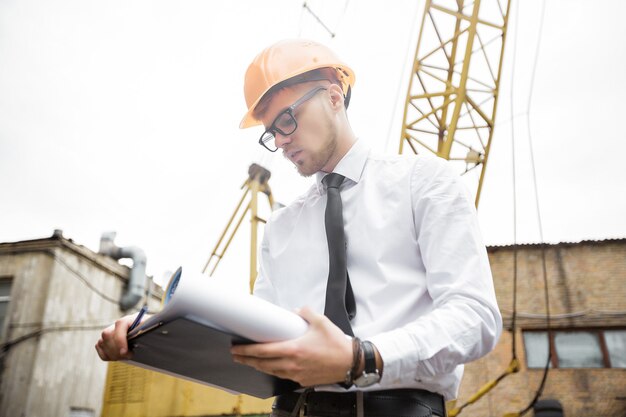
(465, 322)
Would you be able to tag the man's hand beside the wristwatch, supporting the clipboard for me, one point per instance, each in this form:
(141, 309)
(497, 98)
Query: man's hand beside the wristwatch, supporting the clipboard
(322, 355)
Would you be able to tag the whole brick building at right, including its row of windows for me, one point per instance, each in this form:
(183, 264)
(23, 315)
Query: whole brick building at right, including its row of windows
(587, 298)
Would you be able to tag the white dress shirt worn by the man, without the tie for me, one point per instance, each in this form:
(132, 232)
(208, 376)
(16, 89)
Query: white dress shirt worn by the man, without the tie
(417, 265)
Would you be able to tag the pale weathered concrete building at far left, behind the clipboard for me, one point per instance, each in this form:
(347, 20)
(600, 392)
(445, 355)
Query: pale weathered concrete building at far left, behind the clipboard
(55, 299)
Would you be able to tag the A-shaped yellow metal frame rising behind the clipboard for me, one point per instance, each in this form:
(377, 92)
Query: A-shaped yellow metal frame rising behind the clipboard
(256, 182)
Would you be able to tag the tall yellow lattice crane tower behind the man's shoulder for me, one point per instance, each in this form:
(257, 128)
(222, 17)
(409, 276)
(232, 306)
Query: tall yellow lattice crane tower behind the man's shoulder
(450, 107)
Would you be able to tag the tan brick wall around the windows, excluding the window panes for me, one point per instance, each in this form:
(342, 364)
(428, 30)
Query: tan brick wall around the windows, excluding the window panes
(587, 288)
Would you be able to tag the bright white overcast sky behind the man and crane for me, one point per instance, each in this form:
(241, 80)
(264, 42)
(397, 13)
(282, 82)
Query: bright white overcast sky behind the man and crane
(123, 116)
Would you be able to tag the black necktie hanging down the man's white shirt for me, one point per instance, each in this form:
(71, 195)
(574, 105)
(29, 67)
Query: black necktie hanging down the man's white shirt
(340, 306)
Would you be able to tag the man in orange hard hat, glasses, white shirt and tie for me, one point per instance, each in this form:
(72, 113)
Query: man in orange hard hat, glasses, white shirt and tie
(400, 297)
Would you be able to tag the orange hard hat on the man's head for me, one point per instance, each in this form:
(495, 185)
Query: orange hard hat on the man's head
(284, 60)
